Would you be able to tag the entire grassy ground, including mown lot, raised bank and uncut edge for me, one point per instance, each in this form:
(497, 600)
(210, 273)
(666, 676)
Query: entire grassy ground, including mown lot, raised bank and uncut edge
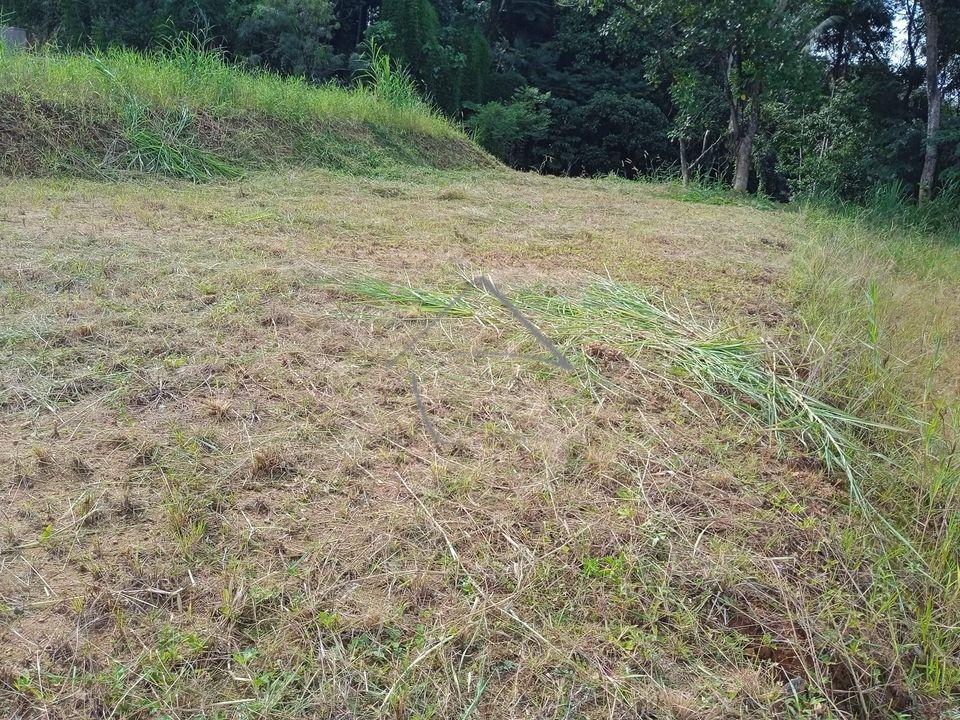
(308, 408)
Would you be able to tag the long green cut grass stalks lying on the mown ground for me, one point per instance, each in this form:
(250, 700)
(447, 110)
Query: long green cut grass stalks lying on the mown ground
(735, 372)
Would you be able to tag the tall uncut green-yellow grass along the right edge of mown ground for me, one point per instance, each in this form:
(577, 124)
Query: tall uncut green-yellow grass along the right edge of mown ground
(878, 296)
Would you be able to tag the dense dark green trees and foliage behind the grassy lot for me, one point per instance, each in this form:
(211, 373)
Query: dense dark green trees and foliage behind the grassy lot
(830, 98)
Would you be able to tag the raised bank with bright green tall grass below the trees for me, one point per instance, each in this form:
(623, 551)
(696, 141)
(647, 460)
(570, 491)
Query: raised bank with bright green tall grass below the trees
(188, 113)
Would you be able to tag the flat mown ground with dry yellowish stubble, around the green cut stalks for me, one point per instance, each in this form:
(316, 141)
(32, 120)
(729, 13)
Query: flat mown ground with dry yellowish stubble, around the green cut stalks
(222, 492)
